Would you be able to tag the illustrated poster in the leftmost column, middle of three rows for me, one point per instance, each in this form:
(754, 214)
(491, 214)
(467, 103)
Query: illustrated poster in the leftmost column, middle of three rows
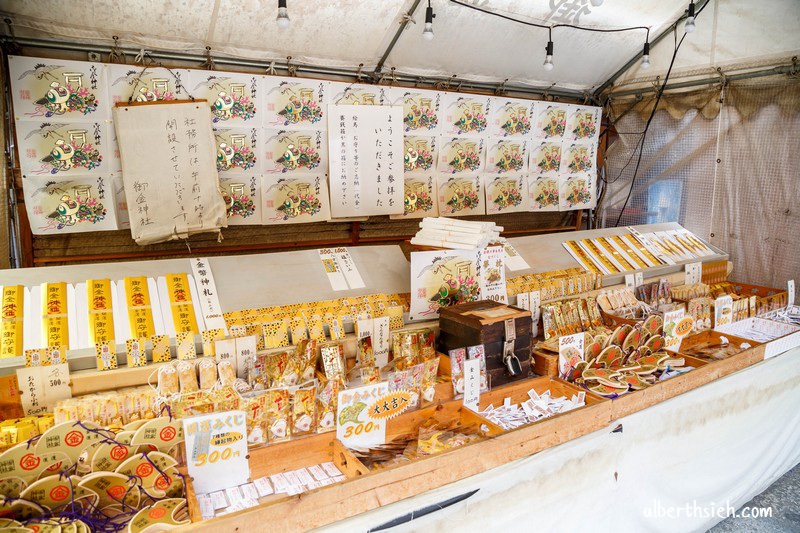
(63, 149)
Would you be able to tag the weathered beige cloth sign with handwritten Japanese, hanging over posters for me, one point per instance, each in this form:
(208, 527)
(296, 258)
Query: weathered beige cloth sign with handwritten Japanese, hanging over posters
(169, 170)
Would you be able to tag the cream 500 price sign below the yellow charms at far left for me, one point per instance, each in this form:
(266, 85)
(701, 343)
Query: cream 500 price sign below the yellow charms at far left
(41, 387)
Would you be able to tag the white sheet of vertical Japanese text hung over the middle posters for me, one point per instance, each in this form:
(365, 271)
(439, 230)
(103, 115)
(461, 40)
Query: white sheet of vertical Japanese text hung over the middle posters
(365, 151)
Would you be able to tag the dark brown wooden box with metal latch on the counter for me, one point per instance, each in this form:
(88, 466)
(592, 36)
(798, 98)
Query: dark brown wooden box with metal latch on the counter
(484, 322)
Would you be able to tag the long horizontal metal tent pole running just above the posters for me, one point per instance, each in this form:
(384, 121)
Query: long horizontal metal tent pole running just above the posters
(527, 91)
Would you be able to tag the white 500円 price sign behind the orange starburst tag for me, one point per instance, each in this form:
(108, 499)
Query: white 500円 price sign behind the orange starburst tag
(355, 428)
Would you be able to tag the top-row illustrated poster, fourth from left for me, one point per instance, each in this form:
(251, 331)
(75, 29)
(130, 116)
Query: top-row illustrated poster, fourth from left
(294, 103)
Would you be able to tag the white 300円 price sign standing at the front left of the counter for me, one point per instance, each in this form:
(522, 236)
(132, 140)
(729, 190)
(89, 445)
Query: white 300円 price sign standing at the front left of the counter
(216, 450)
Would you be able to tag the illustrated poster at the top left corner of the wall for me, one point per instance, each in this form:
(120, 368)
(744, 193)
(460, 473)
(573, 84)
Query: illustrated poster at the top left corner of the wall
(56, 90)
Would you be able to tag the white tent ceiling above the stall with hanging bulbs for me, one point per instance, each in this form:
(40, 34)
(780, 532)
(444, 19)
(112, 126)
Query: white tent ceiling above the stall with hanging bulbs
(468, 44)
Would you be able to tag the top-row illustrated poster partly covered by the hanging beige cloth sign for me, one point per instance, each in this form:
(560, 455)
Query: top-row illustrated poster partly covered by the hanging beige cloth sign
(135, 83)
